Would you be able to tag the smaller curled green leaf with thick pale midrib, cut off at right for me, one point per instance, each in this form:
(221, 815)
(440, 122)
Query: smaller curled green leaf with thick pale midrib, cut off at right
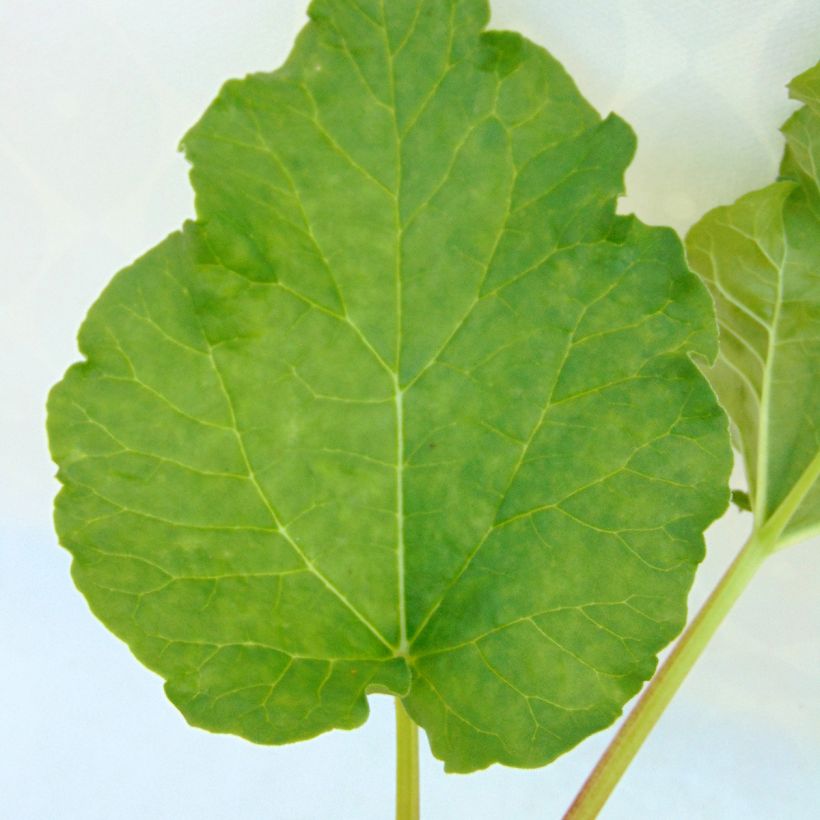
(760, 259)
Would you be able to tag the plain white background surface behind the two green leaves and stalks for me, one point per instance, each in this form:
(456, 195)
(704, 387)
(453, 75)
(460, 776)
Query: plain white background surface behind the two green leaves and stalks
(94, 95)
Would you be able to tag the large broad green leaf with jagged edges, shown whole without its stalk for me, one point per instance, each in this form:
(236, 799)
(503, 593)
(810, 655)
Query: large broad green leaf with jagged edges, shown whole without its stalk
(407, 409)
